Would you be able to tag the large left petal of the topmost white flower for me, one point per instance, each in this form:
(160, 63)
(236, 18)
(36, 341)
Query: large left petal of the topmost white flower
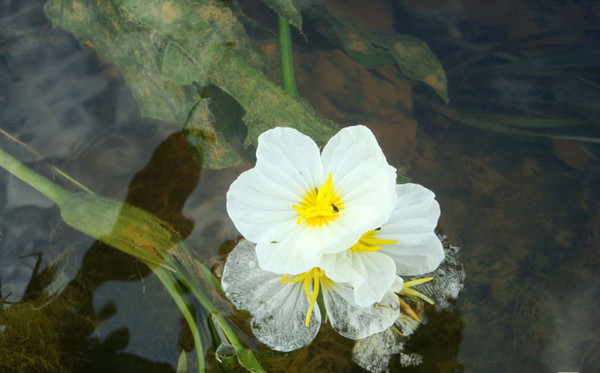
(288, 165)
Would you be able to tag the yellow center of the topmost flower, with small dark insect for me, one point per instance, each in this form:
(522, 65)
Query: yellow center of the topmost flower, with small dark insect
(320, 206)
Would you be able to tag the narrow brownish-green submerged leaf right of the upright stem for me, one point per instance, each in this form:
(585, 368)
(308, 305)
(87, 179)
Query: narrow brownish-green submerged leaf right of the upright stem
(374, 48)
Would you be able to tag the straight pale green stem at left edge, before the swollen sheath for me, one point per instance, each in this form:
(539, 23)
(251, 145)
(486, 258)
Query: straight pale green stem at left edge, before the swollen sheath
(43, 185)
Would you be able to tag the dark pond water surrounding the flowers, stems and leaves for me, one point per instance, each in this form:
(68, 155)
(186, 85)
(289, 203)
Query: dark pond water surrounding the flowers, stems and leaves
(524, 209)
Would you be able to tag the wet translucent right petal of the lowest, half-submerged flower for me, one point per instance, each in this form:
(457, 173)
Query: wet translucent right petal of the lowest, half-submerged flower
(353, 321)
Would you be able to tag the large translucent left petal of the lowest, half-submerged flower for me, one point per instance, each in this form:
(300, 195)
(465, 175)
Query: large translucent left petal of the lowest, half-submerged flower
(278, 310)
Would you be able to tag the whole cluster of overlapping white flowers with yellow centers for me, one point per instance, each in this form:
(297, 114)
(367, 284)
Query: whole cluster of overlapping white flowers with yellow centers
(326, 225)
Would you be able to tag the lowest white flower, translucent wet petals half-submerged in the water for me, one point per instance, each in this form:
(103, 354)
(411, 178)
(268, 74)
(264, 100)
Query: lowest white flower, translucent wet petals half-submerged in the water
(284, 309)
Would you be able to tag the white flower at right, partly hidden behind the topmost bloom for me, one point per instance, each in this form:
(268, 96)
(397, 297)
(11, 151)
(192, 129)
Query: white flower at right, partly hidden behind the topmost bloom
(405, 245)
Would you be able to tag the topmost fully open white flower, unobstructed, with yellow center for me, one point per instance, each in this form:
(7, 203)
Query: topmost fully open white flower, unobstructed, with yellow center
(297, 204)
